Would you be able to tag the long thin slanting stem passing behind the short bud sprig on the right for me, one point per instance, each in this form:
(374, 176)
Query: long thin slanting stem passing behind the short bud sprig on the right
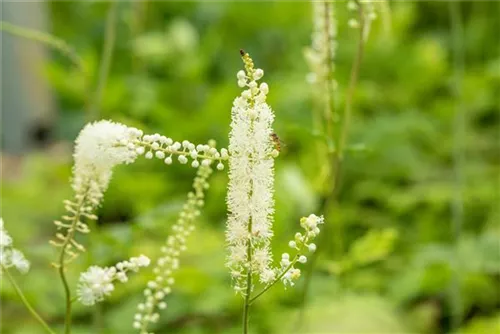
(337, 156)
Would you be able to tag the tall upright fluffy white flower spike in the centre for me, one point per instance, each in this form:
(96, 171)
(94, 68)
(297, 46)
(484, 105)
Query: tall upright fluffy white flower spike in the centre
(251, 181)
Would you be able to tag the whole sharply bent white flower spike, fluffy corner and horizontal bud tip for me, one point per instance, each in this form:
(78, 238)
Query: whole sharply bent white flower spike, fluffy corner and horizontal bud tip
(100, 147)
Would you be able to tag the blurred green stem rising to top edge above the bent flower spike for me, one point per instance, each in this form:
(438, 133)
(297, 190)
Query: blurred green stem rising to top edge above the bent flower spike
(106, 58)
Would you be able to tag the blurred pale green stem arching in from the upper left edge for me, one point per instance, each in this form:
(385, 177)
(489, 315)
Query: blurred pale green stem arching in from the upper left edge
(45, 38)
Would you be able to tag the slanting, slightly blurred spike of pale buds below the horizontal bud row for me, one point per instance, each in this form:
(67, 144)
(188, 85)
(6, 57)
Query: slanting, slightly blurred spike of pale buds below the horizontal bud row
(168, 263)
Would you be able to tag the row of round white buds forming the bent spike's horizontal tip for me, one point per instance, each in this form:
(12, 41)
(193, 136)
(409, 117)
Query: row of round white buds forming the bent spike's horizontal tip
(164, 148)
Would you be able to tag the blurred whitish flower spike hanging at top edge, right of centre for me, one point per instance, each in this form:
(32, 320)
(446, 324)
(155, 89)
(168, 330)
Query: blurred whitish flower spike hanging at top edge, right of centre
(322, 52)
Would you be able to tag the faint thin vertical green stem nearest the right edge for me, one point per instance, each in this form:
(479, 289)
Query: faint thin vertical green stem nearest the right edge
(459, 132)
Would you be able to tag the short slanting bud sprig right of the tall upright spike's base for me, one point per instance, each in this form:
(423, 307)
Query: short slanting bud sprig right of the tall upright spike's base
(301, 243)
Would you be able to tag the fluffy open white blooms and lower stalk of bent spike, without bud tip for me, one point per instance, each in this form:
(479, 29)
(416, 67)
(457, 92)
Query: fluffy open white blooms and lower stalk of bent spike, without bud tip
(100, 146)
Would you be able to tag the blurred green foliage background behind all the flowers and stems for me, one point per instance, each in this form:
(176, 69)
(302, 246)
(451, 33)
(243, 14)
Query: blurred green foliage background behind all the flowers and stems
(386, 265)
